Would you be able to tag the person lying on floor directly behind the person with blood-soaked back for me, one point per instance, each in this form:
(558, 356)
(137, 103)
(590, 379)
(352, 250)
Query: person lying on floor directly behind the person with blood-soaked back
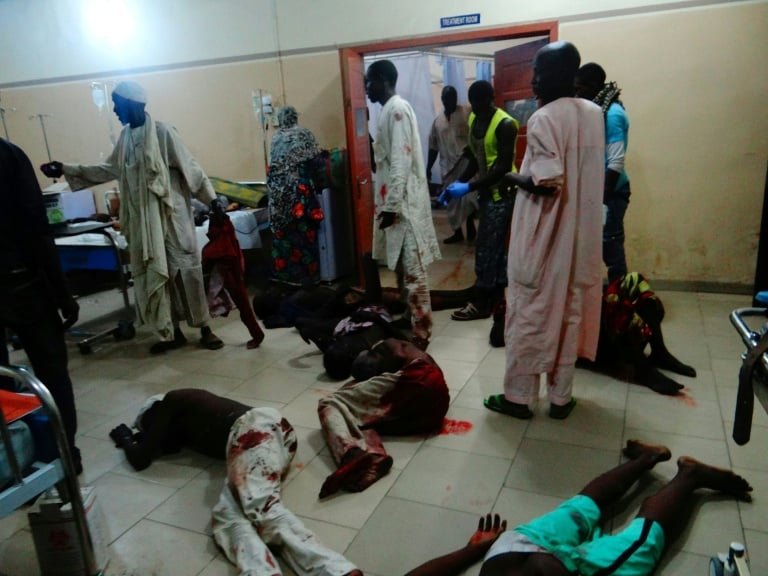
(342, 339)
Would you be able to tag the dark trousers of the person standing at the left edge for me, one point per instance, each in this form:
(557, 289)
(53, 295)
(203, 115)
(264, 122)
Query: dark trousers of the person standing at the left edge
(27, 306)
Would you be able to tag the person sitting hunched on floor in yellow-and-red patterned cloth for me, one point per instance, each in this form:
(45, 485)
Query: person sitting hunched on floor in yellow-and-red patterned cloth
(631, 322)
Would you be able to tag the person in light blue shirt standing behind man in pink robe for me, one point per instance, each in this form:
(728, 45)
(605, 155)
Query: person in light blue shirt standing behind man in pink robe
(590, 84)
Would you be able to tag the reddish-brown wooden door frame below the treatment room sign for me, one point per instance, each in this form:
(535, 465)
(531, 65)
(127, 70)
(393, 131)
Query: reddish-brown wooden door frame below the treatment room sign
(547, 28)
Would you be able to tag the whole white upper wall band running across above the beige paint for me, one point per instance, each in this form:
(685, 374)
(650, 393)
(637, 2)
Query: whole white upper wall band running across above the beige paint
(61, 39)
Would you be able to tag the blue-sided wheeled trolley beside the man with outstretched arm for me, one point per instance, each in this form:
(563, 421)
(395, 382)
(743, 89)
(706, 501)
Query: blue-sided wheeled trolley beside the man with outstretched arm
(94, 245)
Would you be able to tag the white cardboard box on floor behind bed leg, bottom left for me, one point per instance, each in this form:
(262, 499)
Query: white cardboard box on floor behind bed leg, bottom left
(56, 539)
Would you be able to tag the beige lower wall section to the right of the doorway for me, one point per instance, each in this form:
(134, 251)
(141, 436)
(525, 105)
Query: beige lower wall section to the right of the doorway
(694, 84)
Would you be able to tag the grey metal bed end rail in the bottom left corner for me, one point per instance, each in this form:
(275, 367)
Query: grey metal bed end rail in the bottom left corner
(39, 477)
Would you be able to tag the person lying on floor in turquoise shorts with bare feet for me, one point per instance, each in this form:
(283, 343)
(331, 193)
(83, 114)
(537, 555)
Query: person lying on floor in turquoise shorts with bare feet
(568, 541)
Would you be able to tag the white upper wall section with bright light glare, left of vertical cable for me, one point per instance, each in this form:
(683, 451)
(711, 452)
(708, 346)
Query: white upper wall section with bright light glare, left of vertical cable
(63, 39)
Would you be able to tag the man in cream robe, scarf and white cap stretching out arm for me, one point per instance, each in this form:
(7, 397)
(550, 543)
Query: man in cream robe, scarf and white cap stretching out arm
(158, 178)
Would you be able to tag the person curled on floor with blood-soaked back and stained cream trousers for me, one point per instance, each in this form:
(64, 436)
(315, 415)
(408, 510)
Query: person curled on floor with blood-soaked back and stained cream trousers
(398, 390)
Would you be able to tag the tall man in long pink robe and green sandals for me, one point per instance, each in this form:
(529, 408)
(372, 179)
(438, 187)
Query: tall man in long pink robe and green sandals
(555, 248)
